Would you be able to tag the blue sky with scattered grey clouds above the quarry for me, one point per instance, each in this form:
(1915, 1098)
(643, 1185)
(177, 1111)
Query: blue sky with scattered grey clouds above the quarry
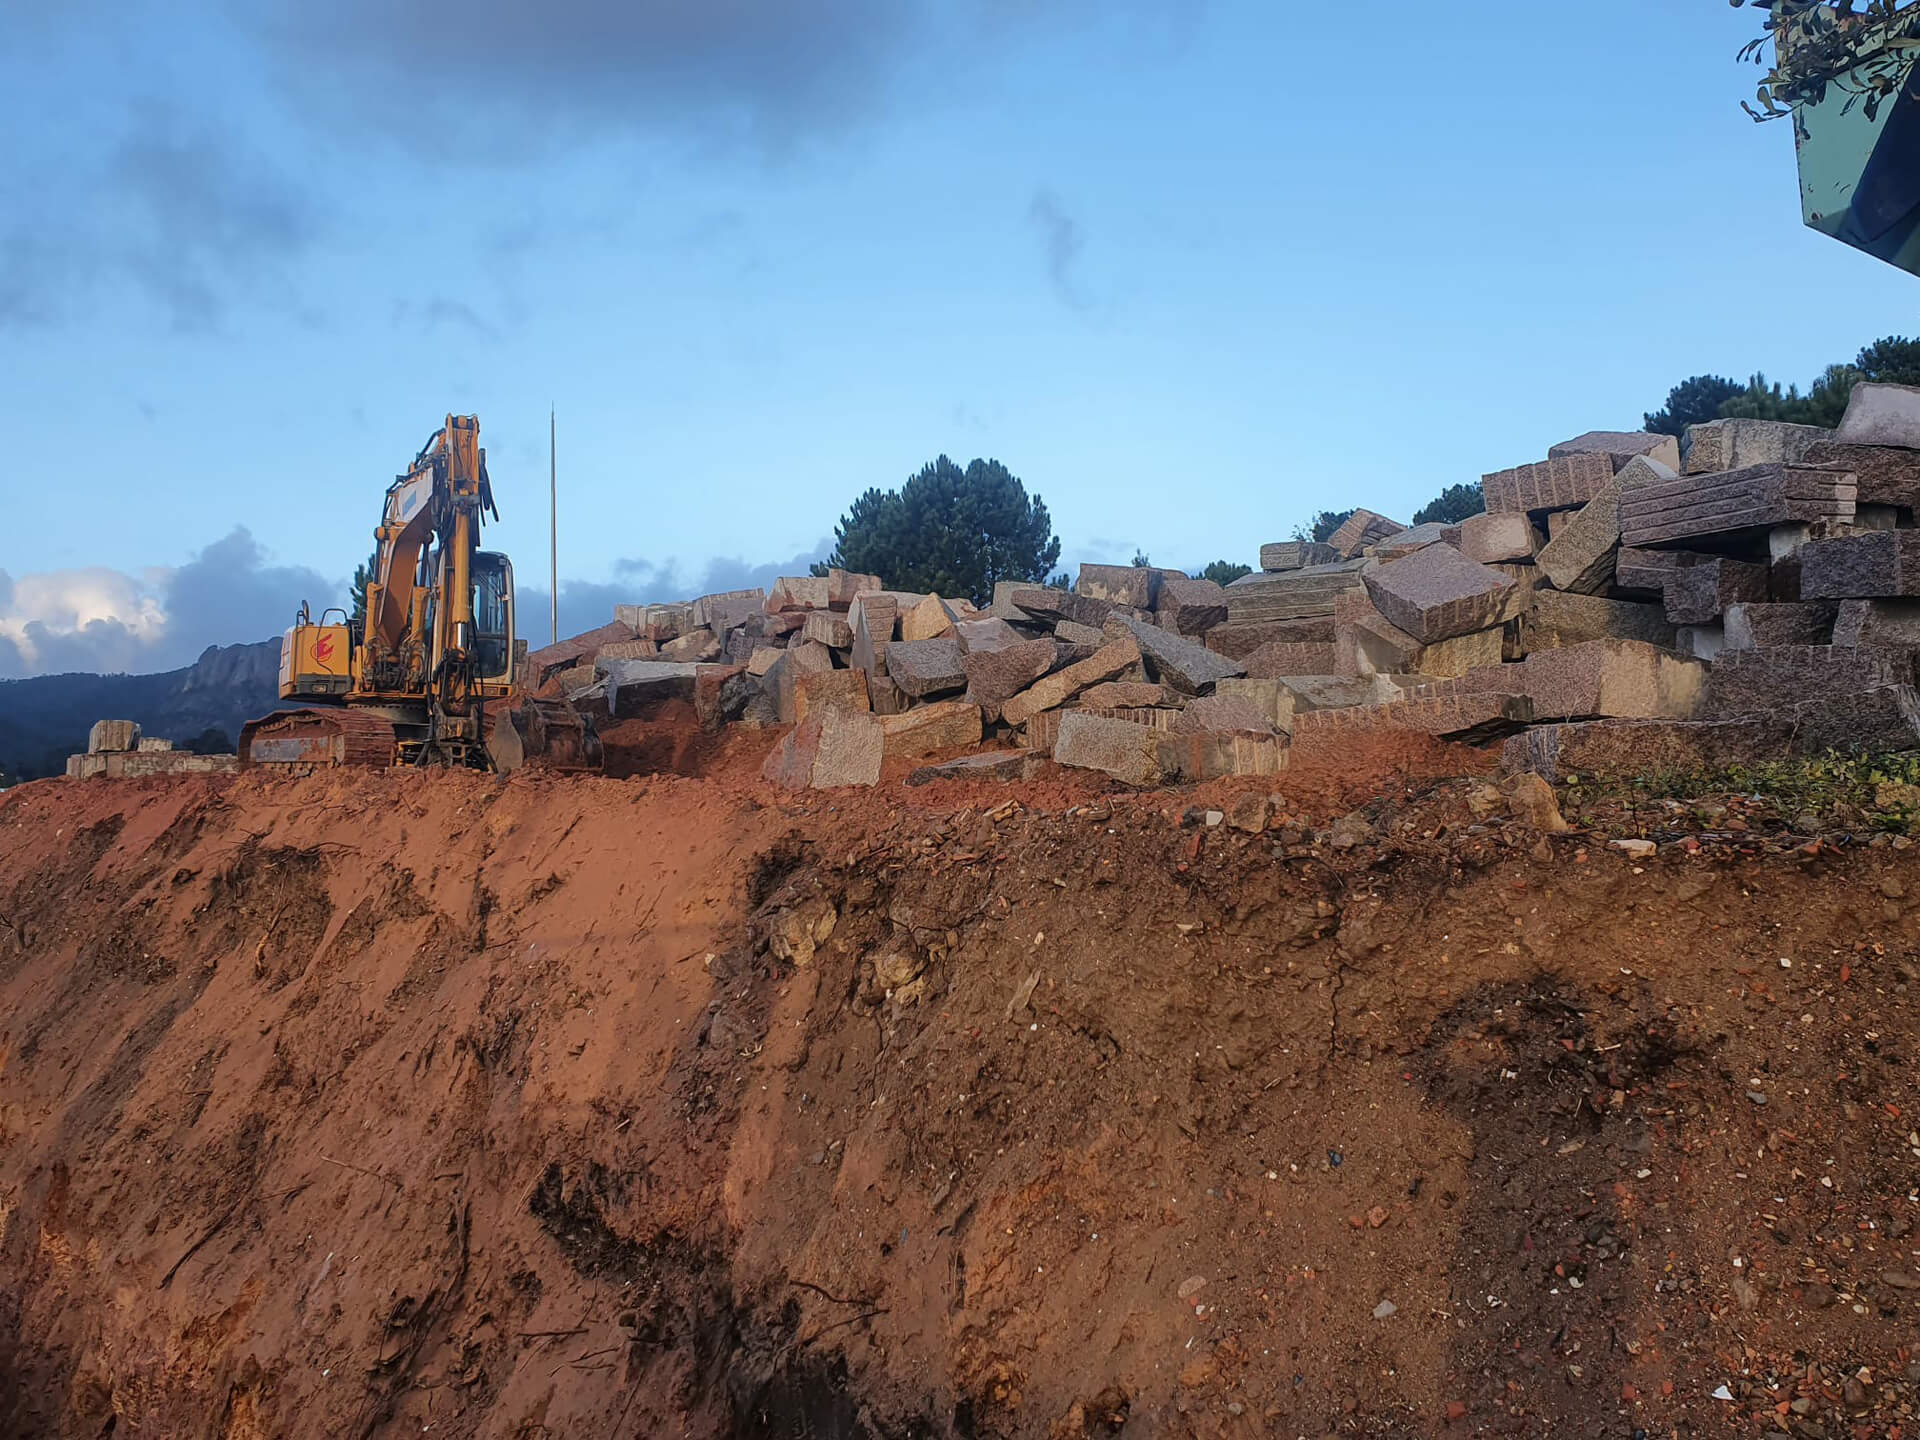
(1191, 268)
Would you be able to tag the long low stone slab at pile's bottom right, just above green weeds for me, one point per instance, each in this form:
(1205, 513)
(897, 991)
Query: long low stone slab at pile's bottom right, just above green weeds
(1884, 719)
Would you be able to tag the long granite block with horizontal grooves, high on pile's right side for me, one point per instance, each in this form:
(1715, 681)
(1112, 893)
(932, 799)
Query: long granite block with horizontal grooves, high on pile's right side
(1731, 506)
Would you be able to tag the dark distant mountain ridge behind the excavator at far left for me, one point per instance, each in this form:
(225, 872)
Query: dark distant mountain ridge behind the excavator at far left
(45, 719)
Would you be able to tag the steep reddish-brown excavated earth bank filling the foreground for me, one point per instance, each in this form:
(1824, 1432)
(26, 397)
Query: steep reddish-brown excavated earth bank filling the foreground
(379, 1105)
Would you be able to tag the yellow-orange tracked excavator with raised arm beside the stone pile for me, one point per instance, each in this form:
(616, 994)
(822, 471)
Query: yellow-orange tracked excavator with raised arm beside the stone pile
(431, 675)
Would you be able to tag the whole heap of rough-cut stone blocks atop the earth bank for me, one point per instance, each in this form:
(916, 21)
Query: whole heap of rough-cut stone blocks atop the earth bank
(1627, 604)
